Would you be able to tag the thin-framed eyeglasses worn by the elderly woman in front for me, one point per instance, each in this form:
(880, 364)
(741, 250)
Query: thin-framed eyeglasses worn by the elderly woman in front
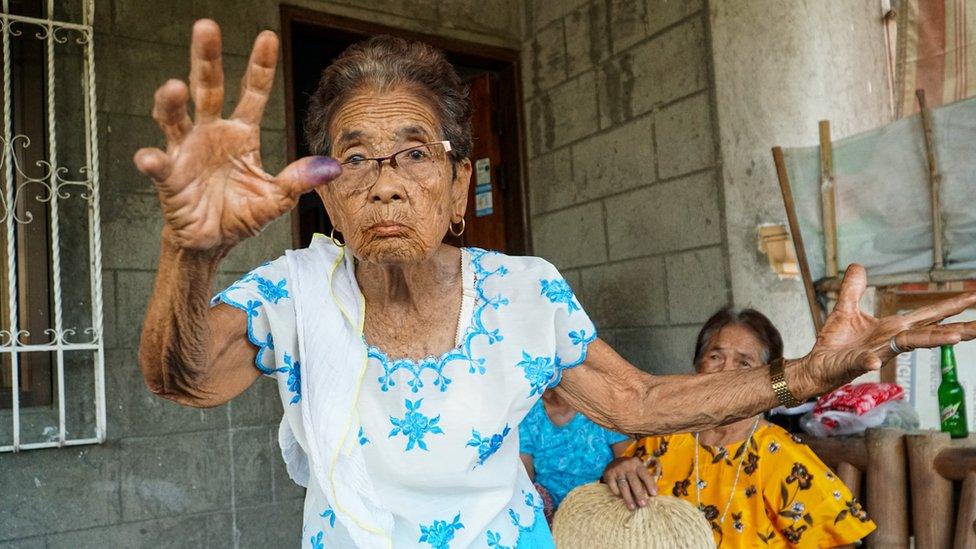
(419, 164)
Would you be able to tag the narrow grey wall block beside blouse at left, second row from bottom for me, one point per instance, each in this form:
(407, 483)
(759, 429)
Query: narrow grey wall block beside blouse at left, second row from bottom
(252, 465)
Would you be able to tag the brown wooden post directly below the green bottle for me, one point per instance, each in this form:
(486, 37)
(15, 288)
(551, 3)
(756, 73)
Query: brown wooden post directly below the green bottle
(931, 492)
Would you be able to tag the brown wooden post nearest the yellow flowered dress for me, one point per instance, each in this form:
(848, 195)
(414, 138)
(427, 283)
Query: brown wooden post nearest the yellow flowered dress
(886, 482)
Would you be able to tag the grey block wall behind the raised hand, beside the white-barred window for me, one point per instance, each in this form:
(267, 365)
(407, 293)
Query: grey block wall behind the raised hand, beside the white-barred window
(168, 475)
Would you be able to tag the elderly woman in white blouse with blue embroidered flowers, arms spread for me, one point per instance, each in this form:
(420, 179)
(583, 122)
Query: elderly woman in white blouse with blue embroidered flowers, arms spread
(404, 364)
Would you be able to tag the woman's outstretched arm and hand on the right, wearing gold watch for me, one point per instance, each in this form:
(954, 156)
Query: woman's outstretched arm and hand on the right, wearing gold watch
(615, 394)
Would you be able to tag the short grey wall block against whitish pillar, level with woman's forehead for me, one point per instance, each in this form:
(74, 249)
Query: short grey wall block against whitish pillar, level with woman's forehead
(685, 136)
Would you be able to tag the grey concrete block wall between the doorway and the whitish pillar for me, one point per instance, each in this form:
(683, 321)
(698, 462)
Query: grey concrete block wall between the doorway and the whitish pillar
(625, 192)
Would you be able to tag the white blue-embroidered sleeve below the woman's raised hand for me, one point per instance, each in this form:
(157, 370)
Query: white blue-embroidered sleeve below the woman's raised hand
(263, 295)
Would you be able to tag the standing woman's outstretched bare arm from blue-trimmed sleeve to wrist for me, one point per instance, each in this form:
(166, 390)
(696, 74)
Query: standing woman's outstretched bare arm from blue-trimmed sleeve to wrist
(615, 394)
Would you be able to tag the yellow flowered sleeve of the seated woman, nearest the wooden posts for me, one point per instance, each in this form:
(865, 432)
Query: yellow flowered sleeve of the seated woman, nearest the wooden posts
(807, 501)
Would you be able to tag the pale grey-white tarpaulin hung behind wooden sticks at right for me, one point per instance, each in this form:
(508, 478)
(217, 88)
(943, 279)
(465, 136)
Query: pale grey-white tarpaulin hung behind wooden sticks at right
(882, 194)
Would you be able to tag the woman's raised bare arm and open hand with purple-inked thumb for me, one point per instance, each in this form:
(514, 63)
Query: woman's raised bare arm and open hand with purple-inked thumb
(214, 193)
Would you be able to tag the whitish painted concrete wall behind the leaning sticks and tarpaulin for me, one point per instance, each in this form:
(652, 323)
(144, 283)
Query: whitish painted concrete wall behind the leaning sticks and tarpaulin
(779, 68)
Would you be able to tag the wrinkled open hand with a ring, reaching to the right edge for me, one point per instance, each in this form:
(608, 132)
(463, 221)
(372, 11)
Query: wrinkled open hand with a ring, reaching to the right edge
(853, 342)
